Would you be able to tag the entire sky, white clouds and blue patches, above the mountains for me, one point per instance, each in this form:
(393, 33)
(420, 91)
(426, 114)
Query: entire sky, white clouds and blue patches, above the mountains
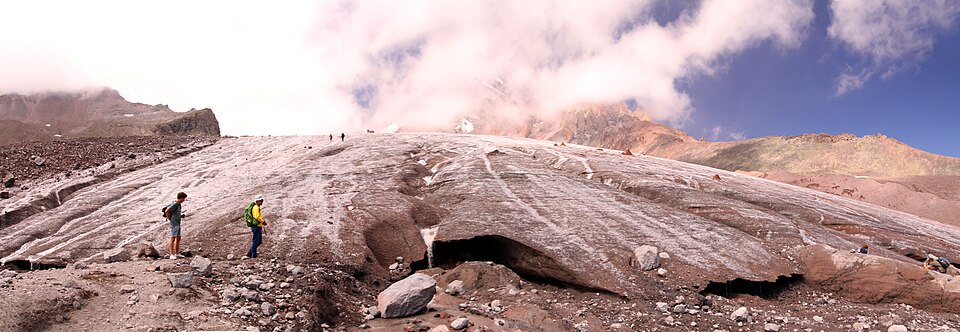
(720, 69)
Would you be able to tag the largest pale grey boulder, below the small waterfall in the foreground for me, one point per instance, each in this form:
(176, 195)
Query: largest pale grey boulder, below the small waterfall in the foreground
(407, 297)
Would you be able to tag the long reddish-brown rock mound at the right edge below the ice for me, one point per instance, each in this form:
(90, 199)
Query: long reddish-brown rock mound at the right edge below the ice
(875, 279)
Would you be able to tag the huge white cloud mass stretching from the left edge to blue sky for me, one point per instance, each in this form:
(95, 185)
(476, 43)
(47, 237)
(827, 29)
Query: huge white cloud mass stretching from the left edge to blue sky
(286, 68)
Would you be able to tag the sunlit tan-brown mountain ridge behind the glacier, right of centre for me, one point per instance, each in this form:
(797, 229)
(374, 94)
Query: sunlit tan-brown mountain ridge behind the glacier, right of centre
(616, 127)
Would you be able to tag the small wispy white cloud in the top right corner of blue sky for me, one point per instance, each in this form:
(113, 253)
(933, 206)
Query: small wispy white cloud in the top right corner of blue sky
(891, 34)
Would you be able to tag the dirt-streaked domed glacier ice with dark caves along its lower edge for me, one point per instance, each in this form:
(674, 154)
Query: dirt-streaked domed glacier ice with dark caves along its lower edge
(572, 214)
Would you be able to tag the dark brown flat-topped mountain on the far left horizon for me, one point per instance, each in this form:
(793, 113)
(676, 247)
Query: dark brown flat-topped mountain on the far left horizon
(100, 113)
